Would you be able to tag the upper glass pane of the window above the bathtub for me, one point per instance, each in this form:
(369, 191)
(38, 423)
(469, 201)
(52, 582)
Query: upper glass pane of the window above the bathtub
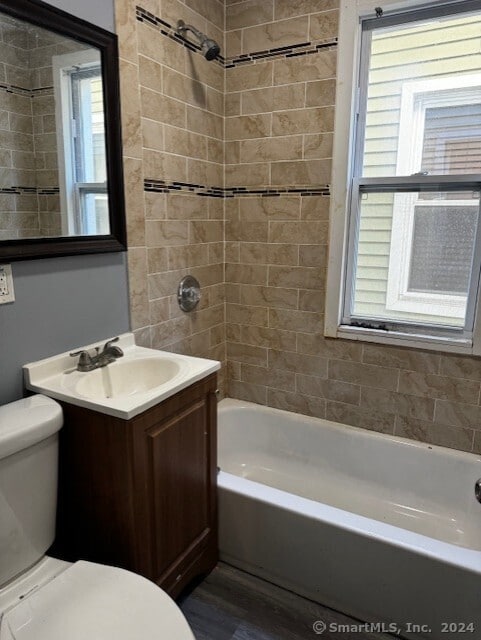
(424, 98)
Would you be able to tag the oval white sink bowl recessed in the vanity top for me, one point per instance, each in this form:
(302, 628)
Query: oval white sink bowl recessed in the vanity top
(127, 377)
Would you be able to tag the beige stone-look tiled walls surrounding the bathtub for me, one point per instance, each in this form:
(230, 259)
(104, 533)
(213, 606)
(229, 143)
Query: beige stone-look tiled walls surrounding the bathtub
(279, 71)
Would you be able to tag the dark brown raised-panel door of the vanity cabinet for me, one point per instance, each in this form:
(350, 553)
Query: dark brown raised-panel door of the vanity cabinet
(179, 480)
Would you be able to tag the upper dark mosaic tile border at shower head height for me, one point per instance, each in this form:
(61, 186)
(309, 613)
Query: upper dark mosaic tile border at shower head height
(302, 49)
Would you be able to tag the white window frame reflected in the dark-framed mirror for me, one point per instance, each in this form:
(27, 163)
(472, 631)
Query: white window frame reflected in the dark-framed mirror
(71, 191)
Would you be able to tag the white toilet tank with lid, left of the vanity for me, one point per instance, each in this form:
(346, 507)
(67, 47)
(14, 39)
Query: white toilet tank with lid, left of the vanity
(28, 481)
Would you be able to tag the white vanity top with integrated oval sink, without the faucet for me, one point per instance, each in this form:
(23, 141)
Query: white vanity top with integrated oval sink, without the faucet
(133, 383)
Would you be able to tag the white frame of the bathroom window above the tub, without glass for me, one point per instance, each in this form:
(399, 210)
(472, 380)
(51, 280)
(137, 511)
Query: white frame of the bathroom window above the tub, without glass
(347, 108)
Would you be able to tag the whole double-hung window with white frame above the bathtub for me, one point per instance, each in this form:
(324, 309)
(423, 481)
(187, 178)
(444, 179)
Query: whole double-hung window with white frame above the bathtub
(405, 259)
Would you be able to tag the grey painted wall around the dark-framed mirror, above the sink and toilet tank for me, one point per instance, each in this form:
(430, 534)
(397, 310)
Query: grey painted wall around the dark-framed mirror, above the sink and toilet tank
(62, 303)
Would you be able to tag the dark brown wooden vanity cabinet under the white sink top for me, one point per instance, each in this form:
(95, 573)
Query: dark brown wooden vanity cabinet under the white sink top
(141, 493)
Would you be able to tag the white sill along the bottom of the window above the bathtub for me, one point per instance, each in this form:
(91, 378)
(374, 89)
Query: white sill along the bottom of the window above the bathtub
(417, 341)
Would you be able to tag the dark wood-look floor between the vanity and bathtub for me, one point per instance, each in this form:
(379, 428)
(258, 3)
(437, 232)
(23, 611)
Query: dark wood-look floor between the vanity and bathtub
(232, 605)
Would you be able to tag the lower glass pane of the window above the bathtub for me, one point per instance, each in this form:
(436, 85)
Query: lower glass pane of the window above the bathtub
(414, 256)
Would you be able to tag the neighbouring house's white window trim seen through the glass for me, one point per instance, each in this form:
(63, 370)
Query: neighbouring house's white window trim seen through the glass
(416, 97)
